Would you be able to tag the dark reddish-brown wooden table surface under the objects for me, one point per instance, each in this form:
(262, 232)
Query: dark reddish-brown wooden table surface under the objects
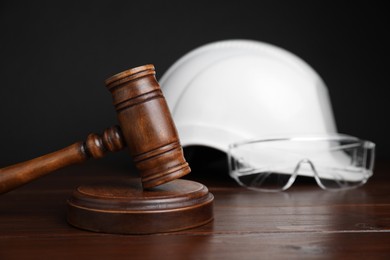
(304, 222)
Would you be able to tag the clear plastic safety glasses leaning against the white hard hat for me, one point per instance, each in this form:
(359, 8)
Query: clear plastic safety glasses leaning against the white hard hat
(336, 162)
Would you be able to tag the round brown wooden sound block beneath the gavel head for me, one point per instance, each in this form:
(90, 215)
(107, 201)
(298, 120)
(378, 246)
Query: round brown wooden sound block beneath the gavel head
(125, 208)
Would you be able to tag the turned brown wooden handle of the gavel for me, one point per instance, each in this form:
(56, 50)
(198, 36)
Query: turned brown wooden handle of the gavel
(95, 146)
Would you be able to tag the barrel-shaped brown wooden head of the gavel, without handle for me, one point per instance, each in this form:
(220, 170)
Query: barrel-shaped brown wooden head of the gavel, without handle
(147, 126)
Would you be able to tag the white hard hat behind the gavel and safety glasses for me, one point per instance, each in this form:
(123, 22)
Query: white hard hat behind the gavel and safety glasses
(234, 90)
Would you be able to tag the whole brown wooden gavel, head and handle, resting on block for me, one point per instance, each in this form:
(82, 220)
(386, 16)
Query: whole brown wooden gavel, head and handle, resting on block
(145, 127)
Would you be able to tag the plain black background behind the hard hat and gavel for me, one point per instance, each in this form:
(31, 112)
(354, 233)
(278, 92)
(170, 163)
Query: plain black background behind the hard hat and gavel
(55, 56)
